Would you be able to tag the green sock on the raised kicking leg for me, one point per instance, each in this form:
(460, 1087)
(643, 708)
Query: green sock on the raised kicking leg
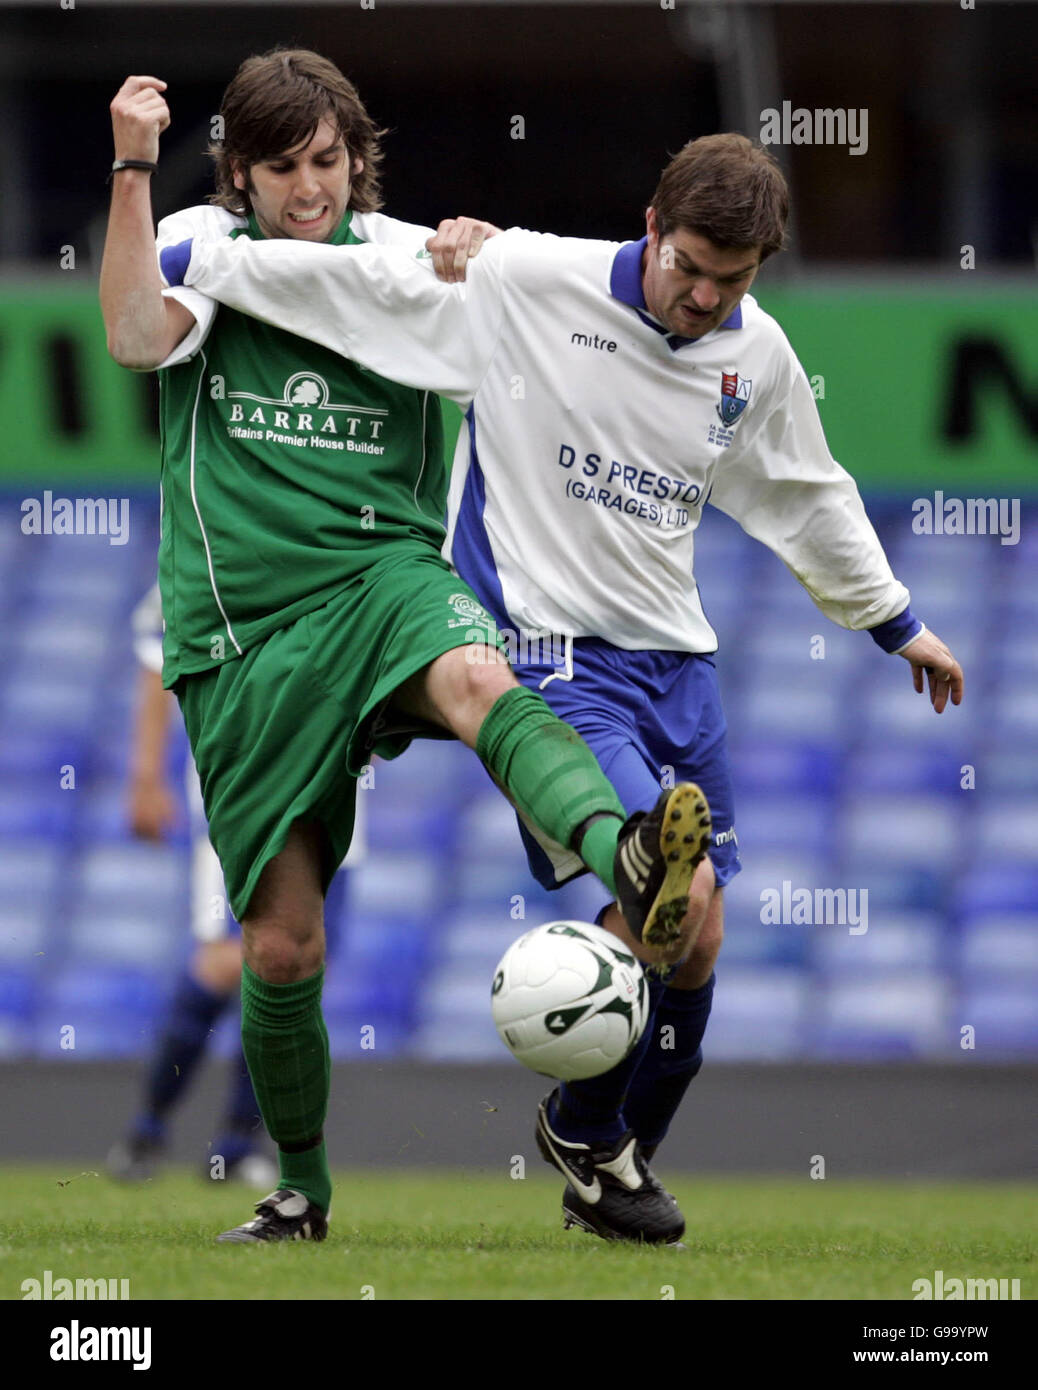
(552, 776)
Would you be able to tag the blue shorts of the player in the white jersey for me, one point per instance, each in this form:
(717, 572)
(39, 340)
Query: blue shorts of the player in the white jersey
(652, 719)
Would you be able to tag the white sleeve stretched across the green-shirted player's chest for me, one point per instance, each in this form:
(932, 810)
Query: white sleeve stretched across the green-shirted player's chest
(376, 305)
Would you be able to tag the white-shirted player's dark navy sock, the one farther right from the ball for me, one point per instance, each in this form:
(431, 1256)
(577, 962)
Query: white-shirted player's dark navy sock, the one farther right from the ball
(670, 1063)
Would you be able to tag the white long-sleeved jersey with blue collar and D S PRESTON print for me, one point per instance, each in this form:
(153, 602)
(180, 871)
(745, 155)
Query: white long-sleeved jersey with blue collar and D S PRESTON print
(595, 439)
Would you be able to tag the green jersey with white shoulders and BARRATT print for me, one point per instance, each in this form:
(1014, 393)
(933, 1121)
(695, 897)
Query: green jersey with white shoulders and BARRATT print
(287, 471)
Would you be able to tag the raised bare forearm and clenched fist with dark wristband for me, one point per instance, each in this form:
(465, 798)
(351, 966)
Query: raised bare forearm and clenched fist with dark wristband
(142, 326)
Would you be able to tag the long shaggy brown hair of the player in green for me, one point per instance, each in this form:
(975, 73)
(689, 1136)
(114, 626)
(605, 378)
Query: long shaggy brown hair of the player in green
(274, 104)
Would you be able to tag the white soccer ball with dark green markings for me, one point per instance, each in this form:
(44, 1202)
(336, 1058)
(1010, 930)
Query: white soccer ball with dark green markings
(569, 1001)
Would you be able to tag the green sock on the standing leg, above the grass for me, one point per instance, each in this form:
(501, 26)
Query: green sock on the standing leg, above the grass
(286, 1045)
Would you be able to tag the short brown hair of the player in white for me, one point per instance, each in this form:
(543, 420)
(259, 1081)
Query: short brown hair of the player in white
(725, 188)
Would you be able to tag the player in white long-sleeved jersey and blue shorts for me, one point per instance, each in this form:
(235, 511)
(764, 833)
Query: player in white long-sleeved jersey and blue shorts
(612, 390)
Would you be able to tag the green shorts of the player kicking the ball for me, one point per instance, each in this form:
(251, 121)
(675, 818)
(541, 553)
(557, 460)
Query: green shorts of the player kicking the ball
(286, 730)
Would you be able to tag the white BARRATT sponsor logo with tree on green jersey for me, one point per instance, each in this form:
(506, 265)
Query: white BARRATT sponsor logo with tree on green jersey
(305, 418)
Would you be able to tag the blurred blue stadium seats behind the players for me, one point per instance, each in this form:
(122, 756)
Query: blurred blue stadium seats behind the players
(846, 779)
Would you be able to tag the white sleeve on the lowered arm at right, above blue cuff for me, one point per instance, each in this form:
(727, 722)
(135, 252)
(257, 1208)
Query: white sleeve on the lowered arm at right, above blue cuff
(784, 489)
